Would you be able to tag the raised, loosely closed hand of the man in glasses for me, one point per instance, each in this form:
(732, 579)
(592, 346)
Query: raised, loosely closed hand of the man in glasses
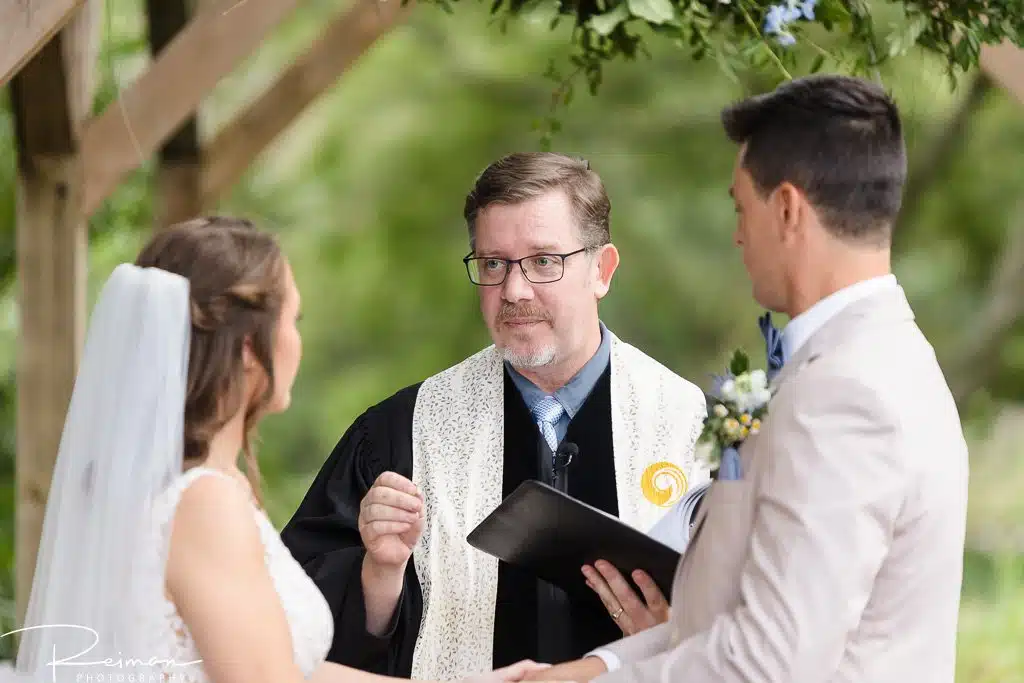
(391, 522)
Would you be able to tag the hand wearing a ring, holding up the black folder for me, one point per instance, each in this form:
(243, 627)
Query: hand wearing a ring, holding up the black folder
(621, 601)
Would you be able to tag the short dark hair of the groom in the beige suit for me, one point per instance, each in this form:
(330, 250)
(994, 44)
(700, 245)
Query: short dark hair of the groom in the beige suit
(837, 139)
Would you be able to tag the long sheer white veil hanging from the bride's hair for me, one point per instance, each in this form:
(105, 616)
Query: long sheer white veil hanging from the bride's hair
(121, 447)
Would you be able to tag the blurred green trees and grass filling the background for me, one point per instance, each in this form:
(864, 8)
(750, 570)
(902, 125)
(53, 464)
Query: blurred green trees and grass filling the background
(366, 191)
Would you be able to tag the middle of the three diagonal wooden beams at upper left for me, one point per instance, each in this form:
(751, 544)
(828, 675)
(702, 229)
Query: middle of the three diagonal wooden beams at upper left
(130, 132)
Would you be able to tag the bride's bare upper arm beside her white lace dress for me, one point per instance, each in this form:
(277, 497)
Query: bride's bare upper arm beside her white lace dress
(218, 579)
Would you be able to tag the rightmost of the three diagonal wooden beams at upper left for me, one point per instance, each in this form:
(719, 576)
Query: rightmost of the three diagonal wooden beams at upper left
(345, 41)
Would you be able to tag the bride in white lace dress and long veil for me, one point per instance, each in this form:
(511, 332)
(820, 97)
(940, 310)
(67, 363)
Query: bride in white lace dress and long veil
(157, 562)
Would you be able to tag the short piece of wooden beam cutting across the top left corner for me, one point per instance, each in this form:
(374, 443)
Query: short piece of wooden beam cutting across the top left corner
(26, 26)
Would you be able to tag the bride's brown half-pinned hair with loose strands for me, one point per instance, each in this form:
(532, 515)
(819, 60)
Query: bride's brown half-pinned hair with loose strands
(237, 281)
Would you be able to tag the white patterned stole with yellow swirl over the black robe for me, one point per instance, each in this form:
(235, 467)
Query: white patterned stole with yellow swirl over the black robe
(458, 463)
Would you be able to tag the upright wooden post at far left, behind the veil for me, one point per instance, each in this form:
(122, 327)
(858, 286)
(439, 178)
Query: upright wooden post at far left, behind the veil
(49, 100)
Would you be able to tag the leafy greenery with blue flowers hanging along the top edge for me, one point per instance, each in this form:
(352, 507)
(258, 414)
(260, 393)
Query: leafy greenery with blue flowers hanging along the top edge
(788, 36)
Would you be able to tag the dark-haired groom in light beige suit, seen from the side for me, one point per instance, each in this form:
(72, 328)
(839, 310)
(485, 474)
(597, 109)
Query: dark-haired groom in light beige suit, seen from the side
(836, 554)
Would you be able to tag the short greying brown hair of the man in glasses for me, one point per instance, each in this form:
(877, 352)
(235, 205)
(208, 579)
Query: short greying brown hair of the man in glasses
(524, 177)
